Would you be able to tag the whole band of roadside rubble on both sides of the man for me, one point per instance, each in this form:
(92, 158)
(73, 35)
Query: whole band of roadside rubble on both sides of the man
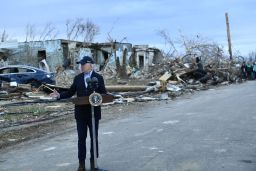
(162, 81)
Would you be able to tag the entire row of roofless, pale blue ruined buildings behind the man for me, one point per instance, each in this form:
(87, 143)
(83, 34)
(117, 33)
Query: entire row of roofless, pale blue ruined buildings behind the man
(64, 53)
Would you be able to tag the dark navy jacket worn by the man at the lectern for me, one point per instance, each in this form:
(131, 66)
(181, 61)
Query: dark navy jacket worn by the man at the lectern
(78, 87)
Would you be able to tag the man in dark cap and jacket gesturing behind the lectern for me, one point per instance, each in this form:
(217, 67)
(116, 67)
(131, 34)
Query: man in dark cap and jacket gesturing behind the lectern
(83, 114)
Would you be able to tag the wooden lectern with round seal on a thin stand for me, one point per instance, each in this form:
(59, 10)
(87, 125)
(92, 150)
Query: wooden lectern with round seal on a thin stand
(95, 99)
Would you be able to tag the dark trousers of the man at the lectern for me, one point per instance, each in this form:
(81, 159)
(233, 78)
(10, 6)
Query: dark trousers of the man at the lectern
(82, 125)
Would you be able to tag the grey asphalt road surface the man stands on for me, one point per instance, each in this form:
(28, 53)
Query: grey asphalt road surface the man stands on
(211, 130)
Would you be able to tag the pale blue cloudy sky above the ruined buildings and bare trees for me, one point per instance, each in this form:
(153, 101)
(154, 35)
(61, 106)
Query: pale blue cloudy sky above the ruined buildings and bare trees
(139, 20)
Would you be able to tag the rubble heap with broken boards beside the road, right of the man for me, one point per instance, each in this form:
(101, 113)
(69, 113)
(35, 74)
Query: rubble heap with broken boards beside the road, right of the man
(174, 77)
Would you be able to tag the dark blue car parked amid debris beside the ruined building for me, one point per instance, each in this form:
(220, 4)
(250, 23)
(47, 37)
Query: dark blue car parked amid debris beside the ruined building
(22, 74)
